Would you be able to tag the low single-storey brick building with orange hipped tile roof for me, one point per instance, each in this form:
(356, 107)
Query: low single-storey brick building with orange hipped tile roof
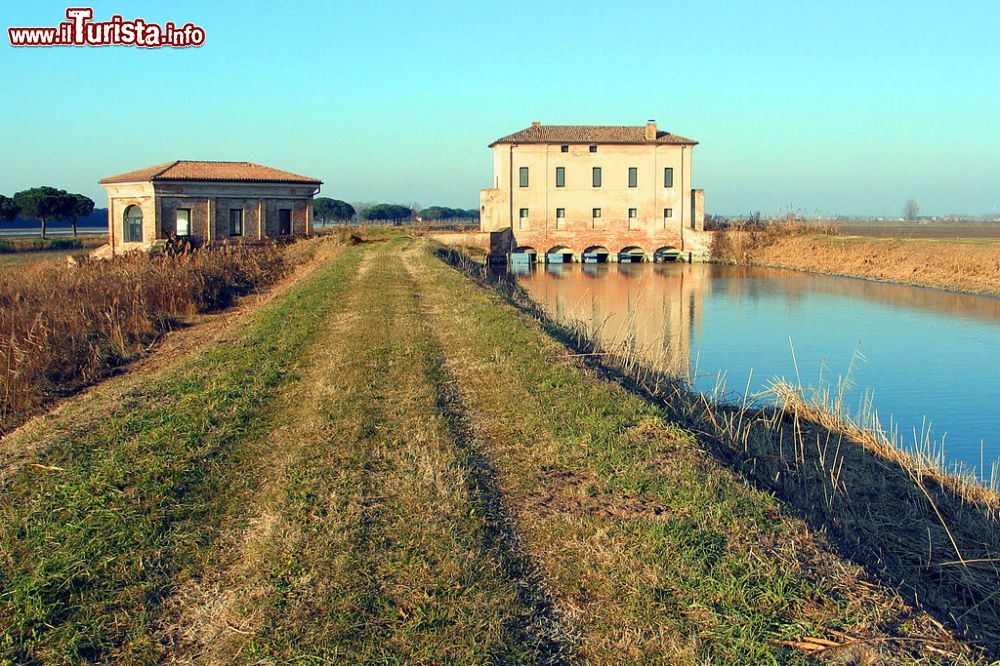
(206, 201)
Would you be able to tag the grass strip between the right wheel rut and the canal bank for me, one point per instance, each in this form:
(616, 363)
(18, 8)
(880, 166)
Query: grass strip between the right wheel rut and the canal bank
(722, 575)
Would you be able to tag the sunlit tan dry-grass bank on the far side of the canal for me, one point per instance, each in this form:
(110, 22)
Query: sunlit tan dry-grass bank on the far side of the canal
(970, 265)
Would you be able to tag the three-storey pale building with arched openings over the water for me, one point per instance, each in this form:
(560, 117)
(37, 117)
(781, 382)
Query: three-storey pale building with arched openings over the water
(624, 191)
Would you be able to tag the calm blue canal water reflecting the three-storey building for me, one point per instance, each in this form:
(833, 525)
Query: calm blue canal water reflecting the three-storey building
(929, 358)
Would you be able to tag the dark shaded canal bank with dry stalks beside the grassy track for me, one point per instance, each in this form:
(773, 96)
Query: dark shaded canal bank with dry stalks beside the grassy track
(933, 536)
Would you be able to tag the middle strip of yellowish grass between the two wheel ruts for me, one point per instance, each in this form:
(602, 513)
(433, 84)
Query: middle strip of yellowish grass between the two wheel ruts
(382, 557)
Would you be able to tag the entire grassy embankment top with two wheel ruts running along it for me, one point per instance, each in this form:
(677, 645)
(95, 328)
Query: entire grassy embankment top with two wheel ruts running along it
(392, 464)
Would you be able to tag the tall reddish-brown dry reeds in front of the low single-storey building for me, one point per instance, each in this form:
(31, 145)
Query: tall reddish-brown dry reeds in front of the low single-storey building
(62, 327)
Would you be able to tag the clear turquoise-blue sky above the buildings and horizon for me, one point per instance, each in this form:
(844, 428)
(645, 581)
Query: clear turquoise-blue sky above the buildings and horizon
(820, 108)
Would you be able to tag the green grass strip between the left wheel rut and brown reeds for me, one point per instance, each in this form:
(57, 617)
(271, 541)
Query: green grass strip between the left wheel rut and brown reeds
(92, 543)
